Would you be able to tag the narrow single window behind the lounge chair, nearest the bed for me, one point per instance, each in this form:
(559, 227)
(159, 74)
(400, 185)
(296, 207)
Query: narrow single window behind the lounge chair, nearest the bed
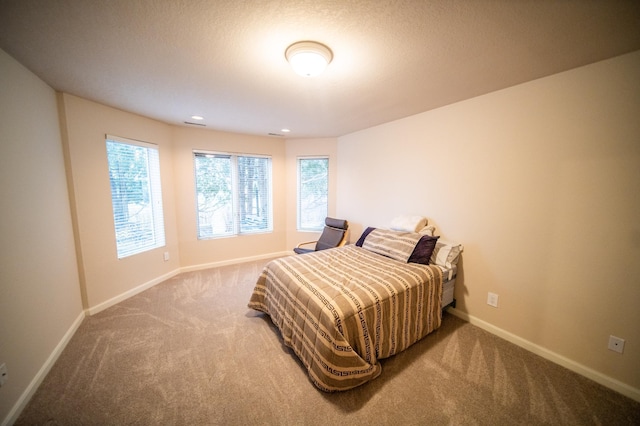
(313, 190)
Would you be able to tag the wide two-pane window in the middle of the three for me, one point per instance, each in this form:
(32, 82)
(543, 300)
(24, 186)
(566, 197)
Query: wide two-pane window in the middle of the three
(233, 194)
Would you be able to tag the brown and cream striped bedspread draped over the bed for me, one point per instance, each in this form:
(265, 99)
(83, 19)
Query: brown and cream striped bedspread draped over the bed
(341, 310)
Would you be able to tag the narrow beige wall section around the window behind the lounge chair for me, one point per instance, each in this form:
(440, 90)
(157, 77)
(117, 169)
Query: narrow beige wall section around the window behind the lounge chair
(300, 148)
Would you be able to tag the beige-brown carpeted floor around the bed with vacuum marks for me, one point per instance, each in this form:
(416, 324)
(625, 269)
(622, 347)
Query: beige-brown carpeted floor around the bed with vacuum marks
(189, 352)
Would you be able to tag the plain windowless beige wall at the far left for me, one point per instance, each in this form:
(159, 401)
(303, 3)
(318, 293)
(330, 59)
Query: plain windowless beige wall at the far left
(39, 287)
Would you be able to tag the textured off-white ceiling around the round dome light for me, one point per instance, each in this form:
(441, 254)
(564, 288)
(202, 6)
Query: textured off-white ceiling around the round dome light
(224, 59)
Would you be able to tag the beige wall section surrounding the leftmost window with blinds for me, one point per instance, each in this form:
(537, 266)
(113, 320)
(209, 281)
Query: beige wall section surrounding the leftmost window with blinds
(105, 278)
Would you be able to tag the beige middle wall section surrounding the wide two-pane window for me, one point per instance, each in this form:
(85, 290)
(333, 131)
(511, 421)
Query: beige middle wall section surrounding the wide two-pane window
(196, 253)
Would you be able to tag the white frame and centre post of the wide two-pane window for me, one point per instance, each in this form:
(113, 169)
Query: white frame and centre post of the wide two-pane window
(236, 219)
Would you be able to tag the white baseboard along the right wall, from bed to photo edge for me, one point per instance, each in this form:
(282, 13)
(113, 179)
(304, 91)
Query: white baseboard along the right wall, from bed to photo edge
(594, 375)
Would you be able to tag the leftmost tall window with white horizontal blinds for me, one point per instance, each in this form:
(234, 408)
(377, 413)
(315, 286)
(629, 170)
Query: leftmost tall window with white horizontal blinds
(134, 173)
